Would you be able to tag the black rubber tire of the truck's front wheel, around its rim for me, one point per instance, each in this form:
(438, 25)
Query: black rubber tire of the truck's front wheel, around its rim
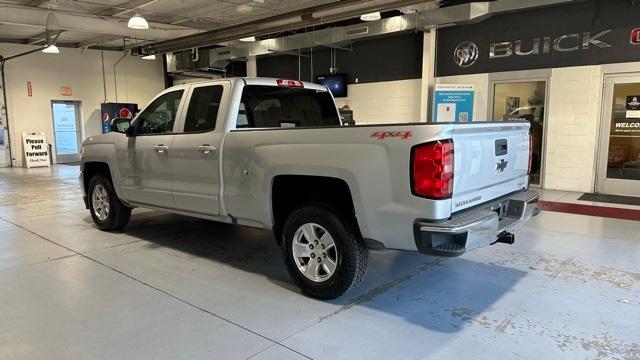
(118, 214)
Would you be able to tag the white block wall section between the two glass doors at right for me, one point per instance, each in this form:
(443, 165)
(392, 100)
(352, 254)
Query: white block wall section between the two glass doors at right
(575, 95)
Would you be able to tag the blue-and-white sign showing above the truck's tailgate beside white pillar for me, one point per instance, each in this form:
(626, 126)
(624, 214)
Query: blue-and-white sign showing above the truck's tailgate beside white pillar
(453, 103)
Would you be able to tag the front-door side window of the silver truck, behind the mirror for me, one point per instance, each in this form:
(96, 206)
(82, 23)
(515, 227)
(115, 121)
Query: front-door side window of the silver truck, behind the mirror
(158, 118)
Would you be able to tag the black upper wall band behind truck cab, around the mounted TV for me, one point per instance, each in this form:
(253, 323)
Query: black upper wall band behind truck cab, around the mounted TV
(382, 59)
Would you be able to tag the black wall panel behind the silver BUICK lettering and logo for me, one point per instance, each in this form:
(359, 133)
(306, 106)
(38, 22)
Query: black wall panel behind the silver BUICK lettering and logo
(619, 16)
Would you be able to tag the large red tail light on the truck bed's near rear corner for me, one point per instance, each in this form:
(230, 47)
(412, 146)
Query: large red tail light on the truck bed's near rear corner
(432, 169)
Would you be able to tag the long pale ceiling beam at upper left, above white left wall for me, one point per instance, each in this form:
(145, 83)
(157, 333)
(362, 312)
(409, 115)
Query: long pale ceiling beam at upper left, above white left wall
(36, 17)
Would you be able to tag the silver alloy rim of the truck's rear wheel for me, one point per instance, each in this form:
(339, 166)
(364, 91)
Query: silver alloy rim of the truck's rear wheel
(315, 252)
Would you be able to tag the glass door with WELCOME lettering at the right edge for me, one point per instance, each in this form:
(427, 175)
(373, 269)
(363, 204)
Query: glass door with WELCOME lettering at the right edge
(619, 160)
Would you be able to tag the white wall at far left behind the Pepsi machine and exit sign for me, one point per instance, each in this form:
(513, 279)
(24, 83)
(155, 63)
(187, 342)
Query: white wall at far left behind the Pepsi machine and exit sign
(138, 81)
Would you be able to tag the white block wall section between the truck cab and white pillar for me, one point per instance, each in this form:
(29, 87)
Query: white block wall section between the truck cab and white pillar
(384, 102)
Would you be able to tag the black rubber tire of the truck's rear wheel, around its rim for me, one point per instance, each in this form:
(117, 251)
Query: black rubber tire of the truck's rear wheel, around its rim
(352, 254)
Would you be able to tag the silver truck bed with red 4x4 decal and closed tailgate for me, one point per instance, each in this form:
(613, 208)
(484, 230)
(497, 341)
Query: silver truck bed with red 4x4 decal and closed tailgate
(374, 162)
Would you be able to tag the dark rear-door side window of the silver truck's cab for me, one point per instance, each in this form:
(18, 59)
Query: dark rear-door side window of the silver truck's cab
(203, 109)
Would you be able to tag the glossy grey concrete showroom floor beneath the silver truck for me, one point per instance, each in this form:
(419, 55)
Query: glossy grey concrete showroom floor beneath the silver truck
(172, 287)
